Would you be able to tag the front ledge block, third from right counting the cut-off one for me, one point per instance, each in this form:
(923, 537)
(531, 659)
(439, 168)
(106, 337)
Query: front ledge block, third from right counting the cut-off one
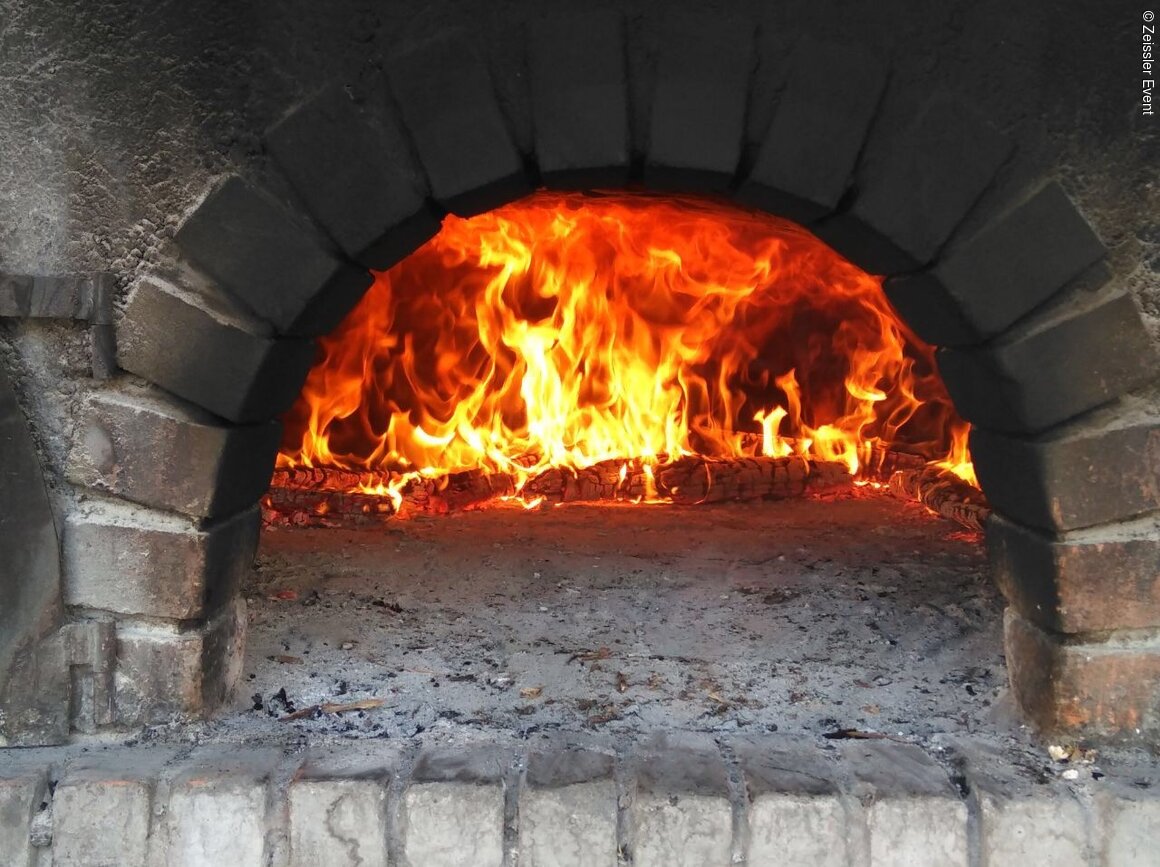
(912, 814)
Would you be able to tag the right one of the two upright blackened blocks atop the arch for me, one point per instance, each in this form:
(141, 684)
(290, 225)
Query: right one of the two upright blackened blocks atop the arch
(698, 124)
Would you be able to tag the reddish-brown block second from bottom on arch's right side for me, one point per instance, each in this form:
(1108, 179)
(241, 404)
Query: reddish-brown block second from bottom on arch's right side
(1089, 581)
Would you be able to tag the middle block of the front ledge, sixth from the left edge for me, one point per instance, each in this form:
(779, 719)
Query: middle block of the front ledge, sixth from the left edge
(568, 811)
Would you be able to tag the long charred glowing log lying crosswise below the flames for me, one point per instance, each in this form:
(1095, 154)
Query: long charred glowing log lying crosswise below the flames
(325, 496)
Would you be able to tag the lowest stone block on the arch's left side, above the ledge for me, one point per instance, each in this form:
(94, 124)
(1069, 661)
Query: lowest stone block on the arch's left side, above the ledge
(164, 675)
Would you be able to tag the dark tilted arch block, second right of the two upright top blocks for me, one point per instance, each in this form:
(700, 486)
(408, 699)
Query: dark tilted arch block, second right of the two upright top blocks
(916, 184)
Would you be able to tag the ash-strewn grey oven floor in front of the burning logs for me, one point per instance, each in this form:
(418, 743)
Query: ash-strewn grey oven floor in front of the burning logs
(808, 617)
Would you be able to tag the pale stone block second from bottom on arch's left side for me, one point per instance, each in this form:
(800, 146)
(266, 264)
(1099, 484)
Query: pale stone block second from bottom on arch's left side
(124, 560)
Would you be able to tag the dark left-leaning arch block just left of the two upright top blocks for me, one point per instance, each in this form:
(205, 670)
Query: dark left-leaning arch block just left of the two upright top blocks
(445, 92)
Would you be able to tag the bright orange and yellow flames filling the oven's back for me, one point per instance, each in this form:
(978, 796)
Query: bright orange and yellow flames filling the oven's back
(569, 330)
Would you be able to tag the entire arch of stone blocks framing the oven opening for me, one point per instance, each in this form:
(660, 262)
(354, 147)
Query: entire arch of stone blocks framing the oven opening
(1040, 345)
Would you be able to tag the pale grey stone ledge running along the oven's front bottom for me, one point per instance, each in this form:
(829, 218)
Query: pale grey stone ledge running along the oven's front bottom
(851, 803)
